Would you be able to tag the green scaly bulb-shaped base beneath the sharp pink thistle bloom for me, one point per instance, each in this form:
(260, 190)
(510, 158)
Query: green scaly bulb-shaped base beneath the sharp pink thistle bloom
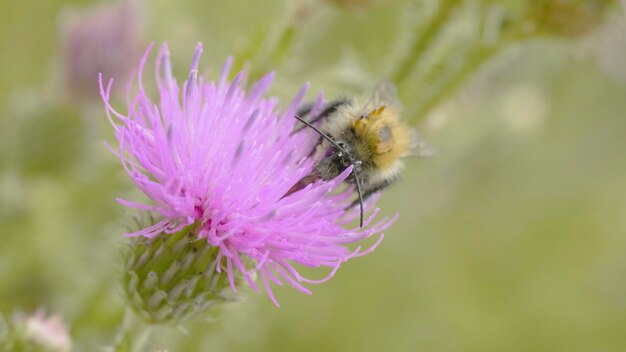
(171, 278)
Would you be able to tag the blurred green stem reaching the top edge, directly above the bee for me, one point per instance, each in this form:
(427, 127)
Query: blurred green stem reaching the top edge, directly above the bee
(423, 41)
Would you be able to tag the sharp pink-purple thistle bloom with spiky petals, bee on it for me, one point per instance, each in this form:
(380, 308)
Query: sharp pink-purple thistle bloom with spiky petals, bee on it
(222, 158)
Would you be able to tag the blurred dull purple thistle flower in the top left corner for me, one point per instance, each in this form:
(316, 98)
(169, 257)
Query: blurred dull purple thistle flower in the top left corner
(105, 39)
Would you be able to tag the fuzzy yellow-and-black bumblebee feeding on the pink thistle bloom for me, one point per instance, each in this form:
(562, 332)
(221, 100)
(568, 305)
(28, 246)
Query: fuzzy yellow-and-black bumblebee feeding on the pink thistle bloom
(368, 135)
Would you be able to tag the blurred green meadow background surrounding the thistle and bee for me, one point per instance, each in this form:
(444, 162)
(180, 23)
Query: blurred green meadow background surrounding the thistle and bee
(513, 237)
